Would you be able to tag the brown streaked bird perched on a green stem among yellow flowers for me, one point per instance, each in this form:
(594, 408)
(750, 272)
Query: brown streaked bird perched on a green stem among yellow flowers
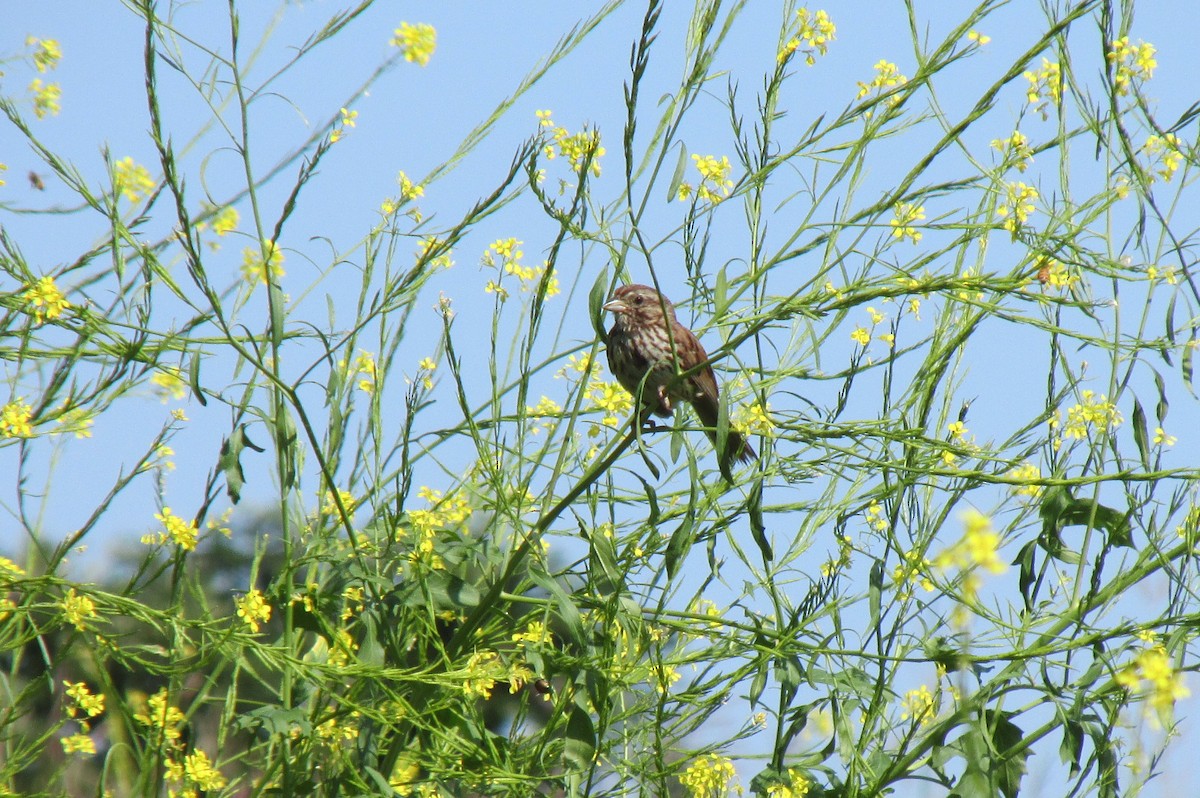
(640, 347)
